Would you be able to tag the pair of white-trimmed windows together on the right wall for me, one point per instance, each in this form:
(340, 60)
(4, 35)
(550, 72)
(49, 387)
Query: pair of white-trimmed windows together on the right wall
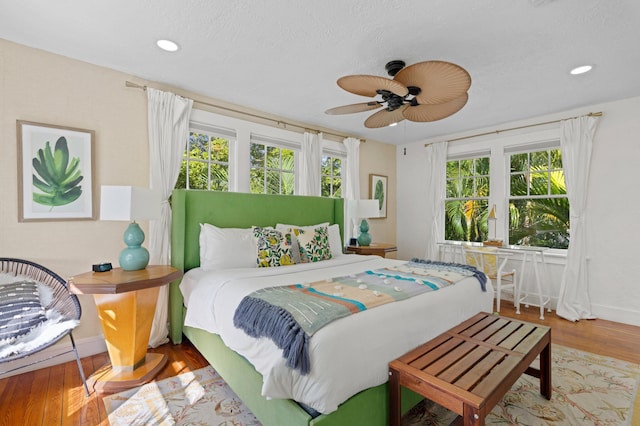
(522, 176)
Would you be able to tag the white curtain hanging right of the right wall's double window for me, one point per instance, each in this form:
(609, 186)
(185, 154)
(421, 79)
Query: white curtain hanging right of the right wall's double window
(576, 141)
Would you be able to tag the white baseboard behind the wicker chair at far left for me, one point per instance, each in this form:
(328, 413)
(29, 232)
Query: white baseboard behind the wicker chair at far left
(86, 347)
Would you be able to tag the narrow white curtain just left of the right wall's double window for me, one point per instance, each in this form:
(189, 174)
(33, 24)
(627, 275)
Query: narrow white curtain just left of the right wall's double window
(436, 193)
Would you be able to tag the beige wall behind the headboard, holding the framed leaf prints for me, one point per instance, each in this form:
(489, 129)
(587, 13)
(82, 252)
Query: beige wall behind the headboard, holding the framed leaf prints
(46, 88)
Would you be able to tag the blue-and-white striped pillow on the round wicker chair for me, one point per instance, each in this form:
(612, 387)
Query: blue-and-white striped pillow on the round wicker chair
(20, 309)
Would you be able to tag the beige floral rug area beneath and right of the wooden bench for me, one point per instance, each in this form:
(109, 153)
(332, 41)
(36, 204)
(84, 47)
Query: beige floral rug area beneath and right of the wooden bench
(588, 389)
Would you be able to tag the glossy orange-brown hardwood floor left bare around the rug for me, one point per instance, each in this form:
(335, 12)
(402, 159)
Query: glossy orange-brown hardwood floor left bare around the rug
(55, 396)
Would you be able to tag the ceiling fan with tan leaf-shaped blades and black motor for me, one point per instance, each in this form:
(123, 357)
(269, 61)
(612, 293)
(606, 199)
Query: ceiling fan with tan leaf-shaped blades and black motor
(426, 91)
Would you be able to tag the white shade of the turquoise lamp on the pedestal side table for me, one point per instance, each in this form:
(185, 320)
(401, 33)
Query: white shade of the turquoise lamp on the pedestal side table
(129, 203)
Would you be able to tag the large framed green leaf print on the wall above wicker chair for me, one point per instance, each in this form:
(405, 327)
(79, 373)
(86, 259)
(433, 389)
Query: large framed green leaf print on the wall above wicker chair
(55, 173)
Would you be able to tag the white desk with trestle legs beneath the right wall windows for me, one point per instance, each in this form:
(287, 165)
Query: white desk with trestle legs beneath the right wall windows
(452, 251)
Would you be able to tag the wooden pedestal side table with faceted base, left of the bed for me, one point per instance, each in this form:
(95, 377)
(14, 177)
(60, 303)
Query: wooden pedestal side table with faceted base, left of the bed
(126, 302)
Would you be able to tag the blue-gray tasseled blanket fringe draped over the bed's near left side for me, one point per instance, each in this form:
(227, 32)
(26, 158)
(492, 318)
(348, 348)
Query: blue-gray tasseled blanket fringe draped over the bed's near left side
(259, 318)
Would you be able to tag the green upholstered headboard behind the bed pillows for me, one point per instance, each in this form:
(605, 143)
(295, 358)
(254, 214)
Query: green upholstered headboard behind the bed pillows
(190, 208)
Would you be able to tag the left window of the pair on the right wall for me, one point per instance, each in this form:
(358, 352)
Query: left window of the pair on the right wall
(467, 199)
